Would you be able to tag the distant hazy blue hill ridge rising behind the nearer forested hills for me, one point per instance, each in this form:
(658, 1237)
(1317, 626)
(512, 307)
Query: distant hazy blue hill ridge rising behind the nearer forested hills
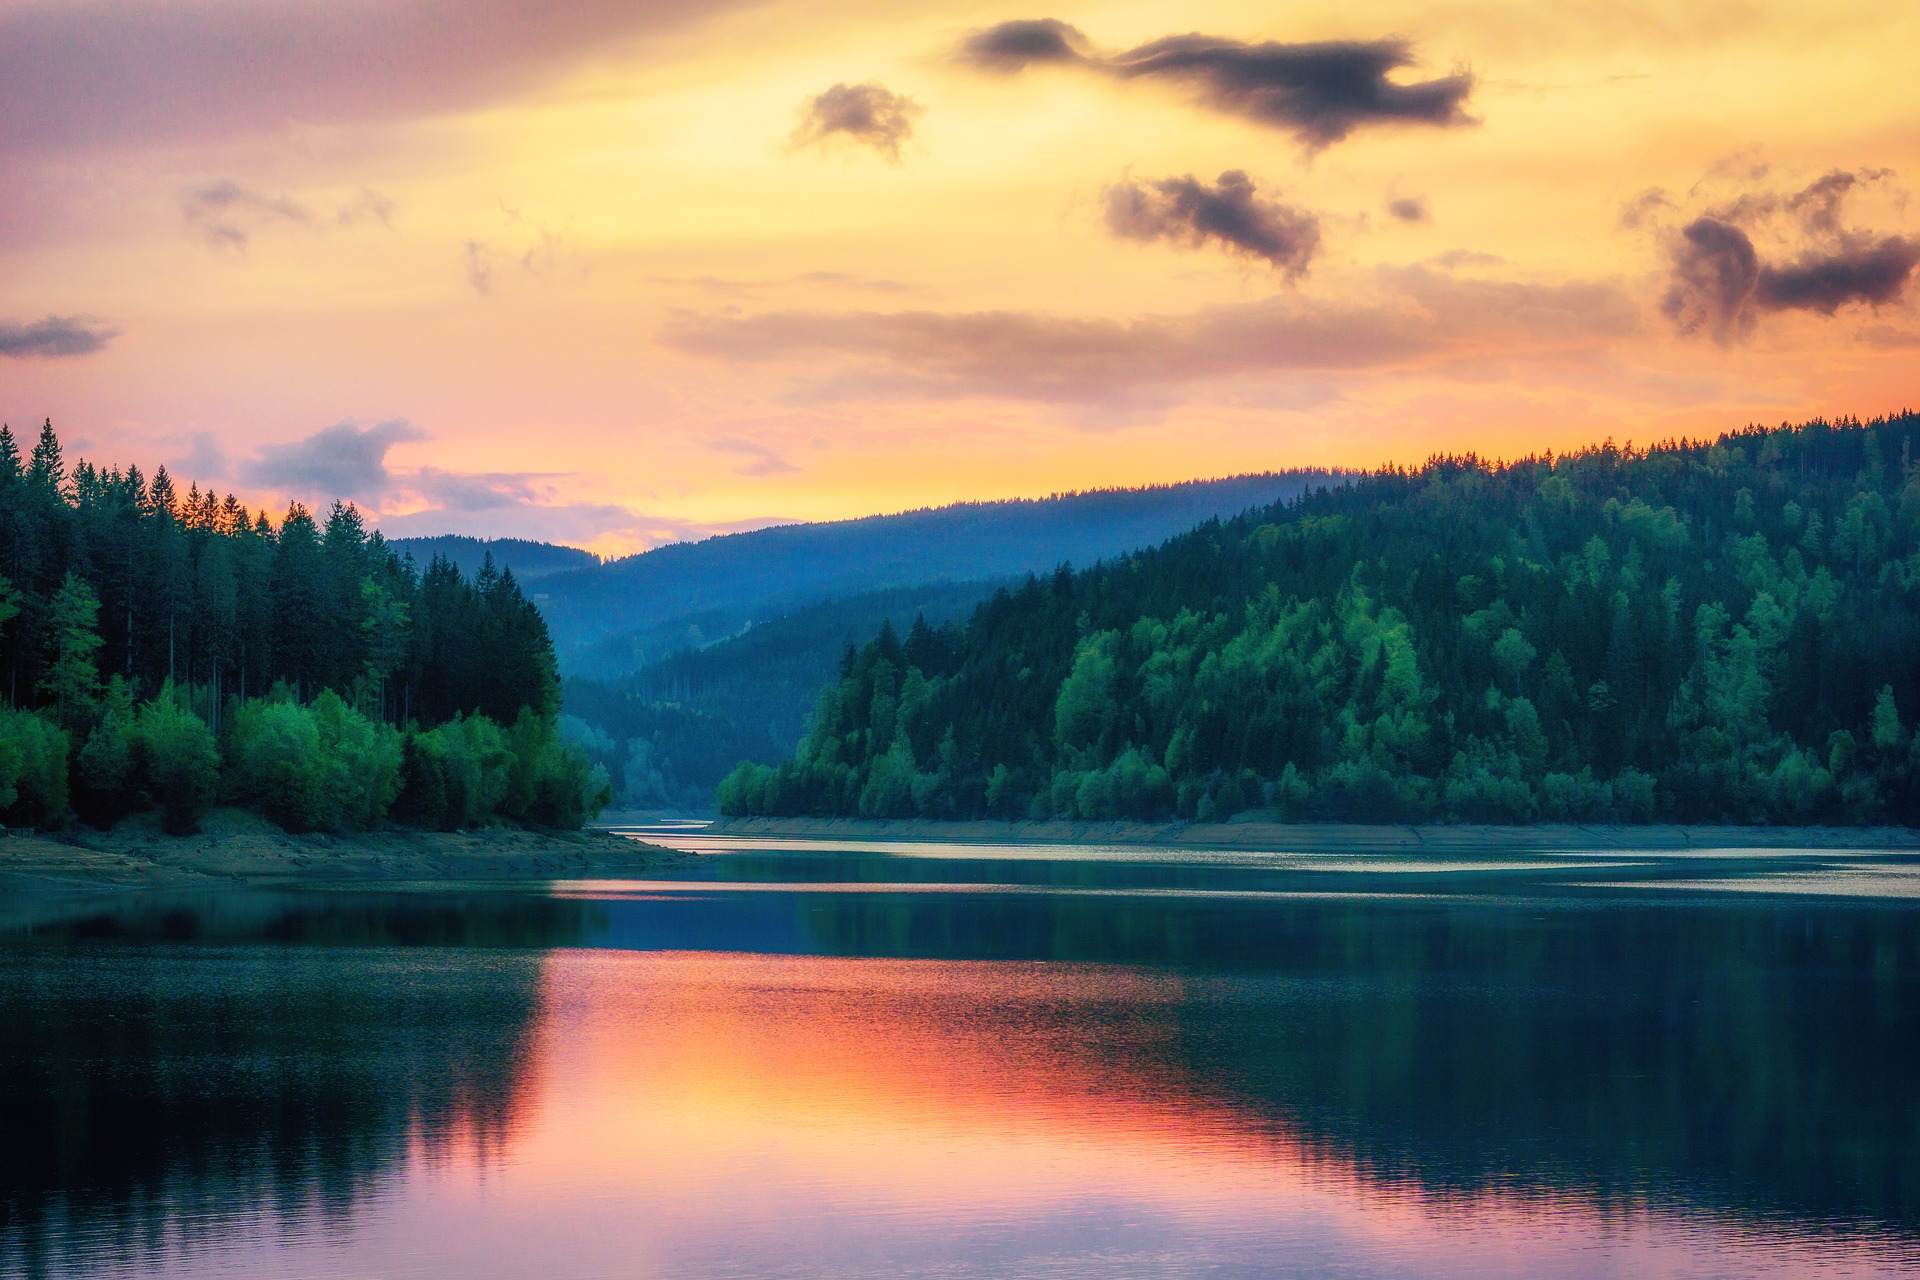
(731, 582)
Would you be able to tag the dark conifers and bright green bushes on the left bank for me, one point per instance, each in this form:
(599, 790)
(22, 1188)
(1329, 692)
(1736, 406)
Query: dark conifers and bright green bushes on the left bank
(172, 652)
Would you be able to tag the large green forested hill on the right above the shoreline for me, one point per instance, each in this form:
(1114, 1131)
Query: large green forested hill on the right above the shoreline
(1691, 632)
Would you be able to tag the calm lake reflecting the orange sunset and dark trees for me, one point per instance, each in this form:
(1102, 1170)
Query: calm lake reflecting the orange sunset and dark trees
(817, 1058)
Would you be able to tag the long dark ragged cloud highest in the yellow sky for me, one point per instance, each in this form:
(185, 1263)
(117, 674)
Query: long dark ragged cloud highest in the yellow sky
(1320, 93)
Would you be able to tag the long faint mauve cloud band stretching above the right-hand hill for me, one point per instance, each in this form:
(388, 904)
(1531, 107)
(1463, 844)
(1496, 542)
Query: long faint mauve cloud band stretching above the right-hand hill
(1424, 318)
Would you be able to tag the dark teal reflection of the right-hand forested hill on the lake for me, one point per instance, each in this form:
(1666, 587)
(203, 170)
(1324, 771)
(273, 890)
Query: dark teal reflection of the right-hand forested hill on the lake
(1748, 1058)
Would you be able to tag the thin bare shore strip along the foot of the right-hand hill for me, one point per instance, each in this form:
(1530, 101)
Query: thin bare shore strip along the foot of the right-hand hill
(1337, 838)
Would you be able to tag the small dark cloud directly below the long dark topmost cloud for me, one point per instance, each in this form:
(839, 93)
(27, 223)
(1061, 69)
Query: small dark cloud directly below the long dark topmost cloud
(1228, 214)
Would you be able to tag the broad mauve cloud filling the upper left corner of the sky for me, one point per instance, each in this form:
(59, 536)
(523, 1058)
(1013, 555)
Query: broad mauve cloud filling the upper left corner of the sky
(135, 74)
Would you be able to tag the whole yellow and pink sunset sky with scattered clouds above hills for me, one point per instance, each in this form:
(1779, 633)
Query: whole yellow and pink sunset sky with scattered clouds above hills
(625, 273)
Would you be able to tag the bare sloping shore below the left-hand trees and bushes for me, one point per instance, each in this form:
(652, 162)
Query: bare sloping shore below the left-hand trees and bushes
(243, 849)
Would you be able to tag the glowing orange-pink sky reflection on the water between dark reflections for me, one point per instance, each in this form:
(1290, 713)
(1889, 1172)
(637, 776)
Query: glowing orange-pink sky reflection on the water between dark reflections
(723, 1112)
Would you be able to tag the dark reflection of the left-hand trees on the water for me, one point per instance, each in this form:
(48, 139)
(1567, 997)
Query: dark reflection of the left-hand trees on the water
(160, 1106)
